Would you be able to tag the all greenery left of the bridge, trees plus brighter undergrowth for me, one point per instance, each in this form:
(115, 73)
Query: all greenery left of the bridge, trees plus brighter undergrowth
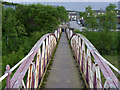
(23, 26)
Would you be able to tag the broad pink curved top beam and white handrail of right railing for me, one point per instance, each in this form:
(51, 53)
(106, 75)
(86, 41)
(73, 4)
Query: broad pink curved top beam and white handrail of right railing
(103, 64)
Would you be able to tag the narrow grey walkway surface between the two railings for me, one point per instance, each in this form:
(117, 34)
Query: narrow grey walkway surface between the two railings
(63, 73)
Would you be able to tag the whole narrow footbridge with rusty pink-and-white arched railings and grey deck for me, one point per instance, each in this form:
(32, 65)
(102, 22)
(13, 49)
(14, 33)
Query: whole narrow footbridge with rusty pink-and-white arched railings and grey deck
(76, 64)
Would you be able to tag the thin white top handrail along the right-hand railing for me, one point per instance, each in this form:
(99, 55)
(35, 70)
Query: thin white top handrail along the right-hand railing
(96, 51)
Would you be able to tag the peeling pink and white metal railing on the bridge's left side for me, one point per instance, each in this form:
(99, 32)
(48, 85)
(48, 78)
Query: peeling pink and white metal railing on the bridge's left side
(31, 69)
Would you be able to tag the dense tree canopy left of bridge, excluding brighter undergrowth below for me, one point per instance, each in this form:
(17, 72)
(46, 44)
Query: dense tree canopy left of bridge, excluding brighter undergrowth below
(25, 20)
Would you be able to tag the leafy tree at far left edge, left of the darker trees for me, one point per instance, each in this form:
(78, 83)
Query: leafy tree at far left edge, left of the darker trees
(13, 31)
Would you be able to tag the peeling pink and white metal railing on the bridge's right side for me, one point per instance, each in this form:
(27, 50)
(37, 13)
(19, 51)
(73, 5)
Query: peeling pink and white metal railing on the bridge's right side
(95, 69)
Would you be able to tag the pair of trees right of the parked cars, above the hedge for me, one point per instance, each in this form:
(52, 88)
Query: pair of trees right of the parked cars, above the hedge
(104, 22)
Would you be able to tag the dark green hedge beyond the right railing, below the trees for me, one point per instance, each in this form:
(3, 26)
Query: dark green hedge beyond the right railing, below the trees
(107, 43)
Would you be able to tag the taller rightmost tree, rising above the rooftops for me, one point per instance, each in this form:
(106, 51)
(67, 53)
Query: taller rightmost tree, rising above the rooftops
(108, 20)
